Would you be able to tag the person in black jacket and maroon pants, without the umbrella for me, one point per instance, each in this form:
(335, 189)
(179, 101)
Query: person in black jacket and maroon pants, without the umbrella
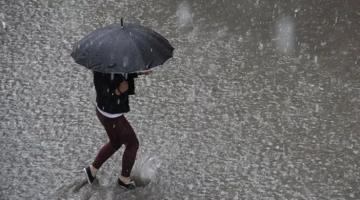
(112, 99)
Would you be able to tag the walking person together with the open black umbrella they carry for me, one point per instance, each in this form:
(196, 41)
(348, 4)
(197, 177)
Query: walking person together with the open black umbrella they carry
(117, 54)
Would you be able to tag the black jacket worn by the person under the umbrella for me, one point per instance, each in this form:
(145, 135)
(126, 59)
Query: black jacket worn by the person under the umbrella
(106, 99)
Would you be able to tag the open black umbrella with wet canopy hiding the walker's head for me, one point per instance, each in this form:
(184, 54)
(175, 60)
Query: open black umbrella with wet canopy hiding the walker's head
(122, 48)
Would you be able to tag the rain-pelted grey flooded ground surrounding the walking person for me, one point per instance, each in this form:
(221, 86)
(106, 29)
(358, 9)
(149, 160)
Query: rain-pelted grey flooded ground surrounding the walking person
(261, 101)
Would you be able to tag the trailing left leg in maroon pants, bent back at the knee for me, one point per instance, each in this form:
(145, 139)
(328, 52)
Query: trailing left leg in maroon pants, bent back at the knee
(110, 125)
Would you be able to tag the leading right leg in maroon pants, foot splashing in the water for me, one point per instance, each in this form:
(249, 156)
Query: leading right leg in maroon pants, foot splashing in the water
(127, 136)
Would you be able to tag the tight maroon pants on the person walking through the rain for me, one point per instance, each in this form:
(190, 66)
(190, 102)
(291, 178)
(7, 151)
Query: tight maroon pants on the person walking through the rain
(119, 132)
